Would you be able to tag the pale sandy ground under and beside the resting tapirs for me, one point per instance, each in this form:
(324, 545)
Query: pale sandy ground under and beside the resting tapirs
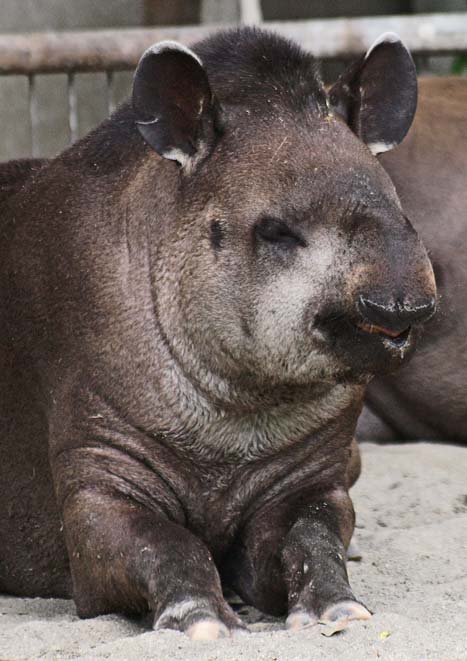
(411, 506)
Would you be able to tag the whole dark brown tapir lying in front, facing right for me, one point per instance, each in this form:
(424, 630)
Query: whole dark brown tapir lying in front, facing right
(193, 299)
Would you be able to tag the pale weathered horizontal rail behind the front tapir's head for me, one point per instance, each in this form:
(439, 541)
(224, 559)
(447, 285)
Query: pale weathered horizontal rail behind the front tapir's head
(50, 52)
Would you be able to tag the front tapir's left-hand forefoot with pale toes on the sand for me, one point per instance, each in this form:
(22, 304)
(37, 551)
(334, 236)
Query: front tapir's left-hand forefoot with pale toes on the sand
(200, 620)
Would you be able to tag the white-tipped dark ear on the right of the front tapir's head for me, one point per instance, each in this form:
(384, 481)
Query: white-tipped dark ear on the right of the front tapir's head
(377, 95)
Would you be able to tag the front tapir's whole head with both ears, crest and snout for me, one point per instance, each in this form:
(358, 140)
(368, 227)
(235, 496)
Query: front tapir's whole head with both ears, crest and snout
(288, 257)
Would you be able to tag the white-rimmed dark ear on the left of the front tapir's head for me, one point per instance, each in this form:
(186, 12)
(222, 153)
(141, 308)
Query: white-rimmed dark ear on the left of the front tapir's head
(176, 112)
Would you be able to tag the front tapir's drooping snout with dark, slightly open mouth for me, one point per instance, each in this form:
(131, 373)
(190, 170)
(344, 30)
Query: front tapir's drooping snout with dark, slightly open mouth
(388, 295)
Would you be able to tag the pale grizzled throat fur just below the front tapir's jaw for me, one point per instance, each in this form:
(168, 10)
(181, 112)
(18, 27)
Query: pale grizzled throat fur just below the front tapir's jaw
(218, 421)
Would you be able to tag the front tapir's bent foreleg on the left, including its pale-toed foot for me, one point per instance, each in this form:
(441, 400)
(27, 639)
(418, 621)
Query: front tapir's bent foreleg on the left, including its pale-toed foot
(128, 558)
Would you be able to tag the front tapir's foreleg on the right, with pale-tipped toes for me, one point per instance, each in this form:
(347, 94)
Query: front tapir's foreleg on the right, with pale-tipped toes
(301, 567)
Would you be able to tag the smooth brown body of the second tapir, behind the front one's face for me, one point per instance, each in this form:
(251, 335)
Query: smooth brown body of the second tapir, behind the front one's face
(428, 397)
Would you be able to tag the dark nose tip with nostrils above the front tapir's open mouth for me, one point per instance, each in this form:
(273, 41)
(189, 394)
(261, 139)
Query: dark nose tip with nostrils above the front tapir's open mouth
(397, 315)
